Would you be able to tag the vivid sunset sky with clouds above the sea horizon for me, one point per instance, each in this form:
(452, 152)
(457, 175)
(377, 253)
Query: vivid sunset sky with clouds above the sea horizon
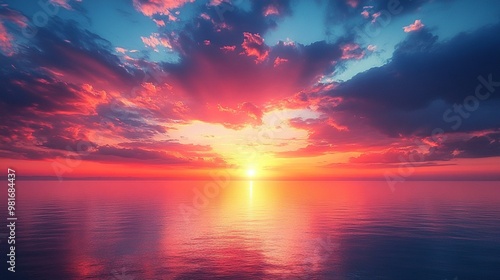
(346, 89)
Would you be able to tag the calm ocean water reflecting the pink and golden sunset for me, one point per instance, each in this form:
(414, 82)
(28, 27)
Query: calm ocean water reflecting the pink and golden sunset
(254, 230)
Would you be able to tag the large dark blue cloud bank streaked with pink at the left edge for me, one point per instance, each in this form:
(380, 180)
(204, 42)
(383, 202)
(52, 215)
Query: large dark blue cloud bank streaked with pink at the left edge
(68, 87)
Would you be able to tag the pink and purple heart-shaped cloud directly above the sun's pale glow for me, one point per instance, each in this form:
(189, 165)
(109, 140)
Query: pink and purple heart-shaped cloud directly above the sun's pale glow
(198, 77)
